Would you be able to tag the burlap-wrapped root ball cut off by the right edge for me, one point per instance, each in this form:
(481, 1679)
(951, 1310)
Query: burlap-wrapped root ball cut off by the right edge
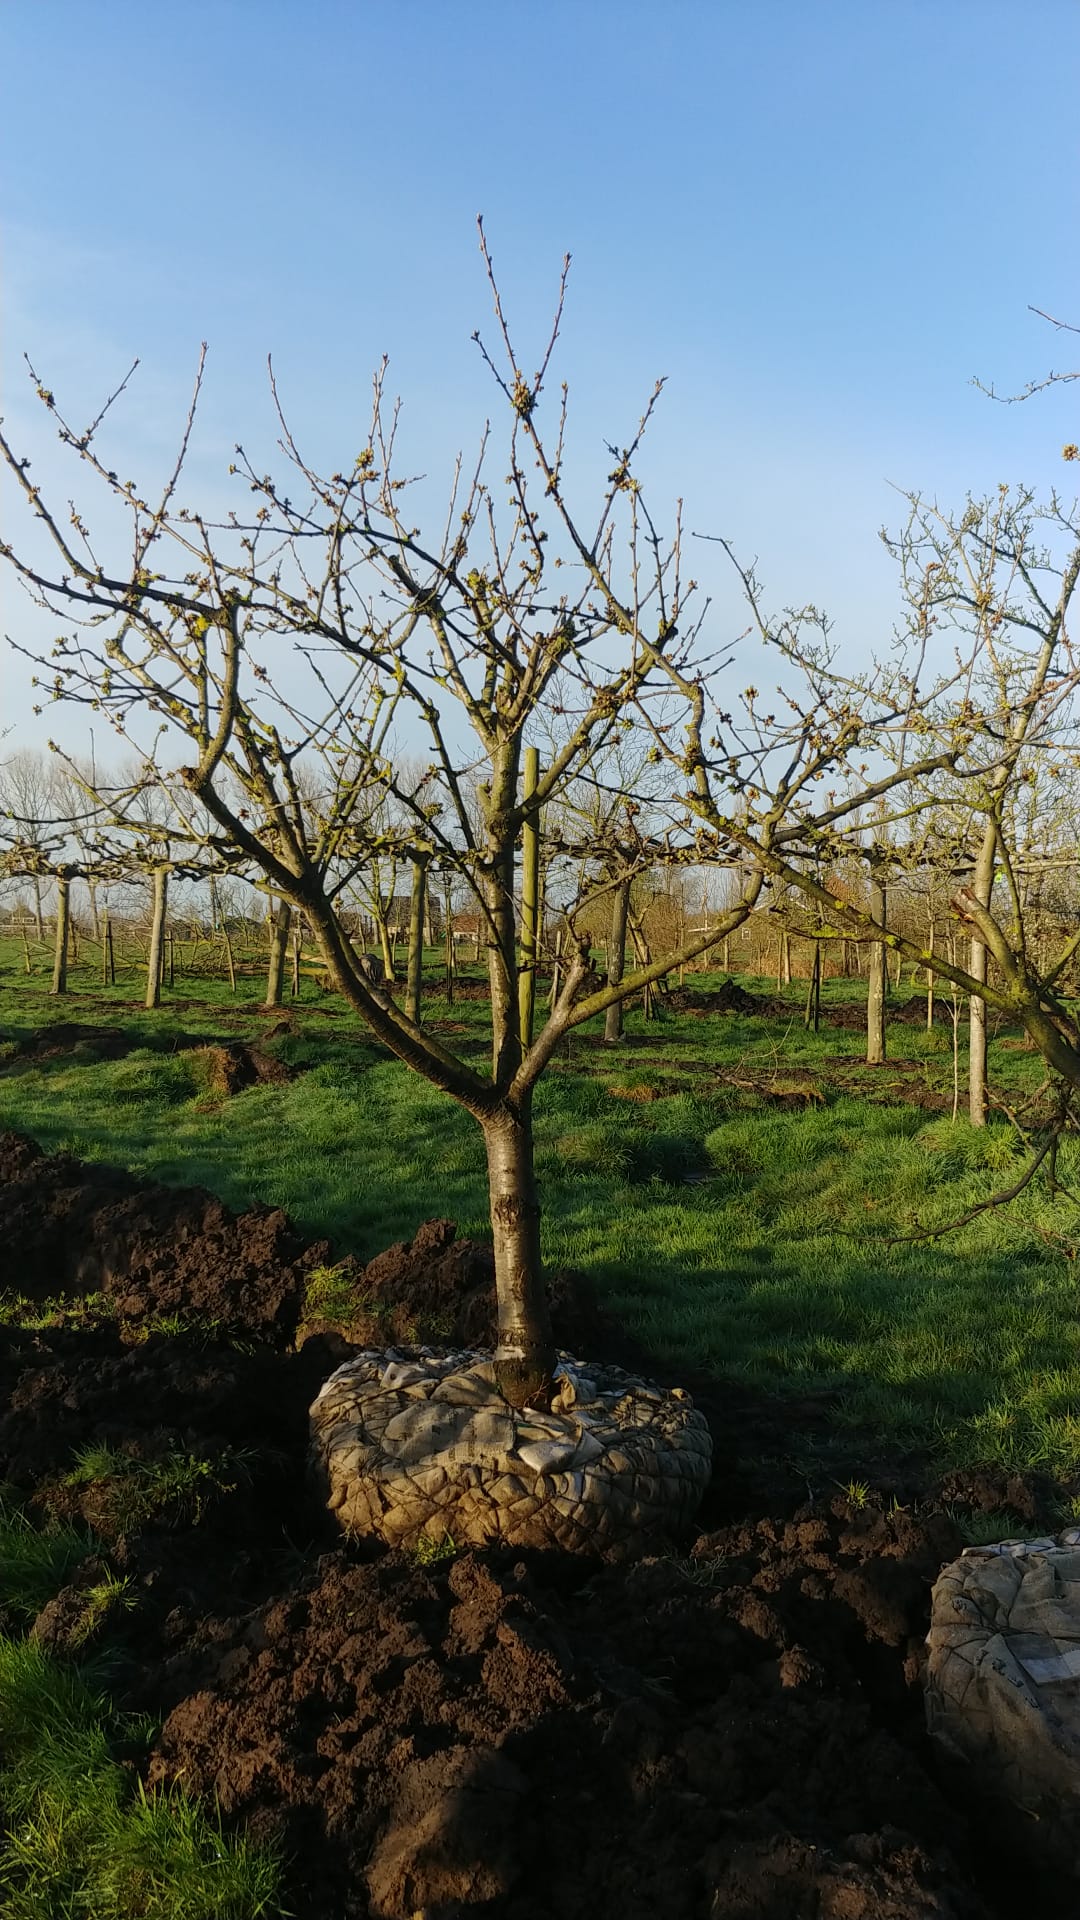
(1004, 1683)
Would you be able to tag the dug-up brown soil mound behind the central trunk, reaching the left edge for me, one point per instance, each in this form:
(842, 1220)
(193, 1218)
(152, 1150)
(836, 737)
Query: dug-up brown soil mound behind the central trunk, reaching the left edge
(78, 1228)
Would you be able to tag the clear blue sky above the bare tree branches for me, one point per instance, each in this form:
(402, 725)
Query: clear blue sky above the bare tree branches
(818, 220)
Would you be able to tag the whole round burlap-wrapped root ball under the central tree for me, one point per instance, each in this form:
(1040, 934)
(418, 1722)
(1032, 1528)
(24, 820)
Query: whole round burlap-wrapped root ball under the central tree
(414, 1443)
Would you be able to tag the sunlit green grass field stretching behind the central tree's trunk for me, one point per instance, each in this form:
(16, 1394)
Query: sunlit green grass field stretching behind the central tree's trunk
(737, 1189)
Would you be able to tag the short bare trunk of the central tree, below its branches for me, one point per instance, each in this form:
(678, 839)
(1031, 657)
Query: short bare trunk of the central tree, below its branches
(526, 1355)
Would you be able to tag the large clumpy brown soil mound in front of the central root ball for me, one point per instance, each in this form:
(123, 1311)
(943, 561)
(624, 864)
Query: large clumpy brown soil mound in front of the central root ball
(681, 1739)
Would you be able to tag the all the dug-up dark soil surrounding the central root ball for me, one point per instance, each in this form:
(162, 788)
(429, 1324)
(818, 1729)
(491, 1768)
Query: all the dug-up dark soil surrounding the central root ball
(727, 1729)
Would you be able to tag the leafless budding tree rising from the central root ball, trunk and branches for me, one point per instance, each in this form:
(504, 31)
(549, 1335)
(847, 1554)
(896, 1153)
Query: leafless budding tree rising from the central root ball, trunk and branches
(516, 608)
